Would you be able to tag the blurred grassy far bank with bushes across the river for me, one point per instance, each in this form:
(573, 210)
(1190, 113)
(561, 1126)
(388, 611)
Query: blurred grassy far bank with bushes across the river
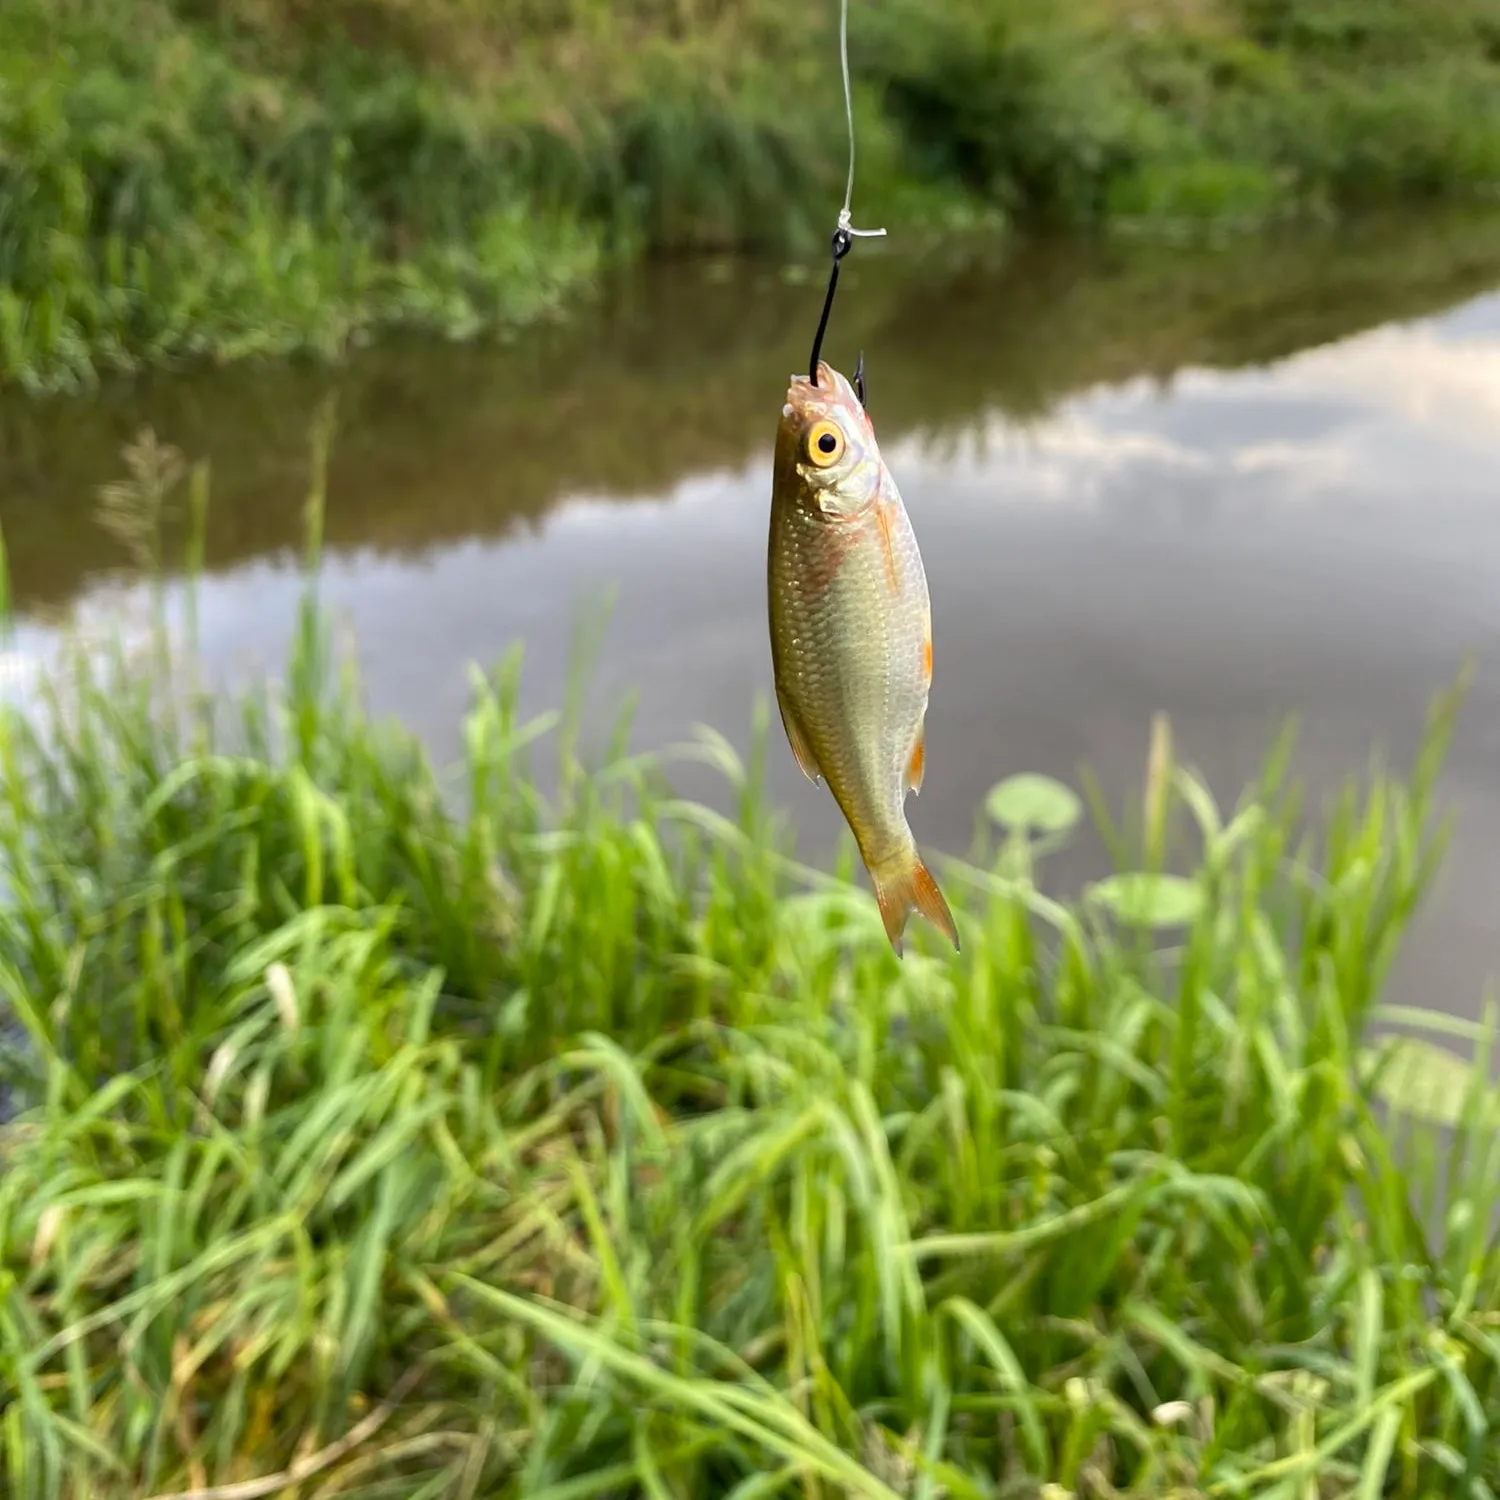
(229, 178)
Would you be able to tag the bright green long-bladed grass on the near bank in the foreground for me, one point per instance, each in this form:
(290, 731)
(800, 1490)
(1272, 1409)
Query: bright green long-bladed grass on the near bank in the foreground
(392, 1135)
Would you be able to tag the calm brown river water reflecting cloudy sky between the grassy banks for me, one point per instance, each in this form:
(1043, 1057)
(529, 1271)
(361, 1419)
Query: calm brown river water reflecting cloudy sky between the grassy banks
(1231, 485)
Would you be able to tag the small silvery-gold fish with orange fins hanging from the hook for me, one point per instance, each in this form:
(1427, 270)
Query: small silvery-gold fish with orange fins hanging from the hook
(851, 637)
